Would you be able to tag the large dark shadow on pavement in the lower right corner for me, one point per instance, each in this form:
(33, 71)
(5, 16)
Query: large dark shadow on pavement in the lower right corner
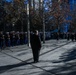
(68, 67)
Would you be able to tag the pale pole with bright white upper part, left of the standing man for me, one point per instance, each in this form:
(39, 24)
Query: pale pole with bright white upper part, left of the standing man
(28, 24)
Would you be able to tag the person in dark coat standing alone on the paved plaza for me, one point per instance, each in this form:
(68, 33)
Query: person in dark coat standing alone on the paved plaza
(35, 45)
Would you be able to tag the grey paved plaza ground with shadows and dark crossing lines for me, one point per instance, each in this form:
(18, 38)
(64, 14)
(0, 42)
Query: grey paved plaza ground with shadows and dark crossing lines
(56, 58)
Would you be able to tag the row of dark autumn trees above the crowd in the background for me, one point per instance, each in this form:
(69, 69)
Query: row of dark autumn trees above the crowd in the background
(45, 15)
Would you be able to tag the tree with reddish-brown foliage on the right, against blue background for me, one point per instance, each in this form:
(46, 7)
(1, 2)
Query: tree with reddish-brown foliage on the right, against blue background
(59, 13)
